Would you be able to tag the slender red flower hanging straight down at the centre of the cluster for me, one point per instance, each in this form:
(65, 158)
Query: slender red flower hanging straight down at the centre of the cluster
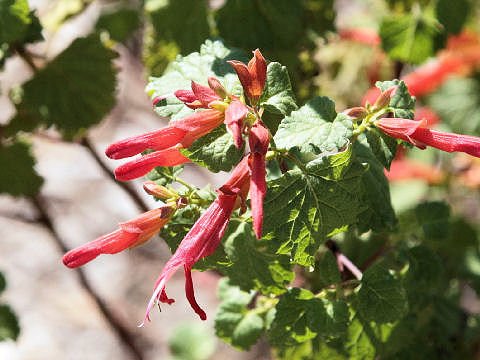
(259, 140)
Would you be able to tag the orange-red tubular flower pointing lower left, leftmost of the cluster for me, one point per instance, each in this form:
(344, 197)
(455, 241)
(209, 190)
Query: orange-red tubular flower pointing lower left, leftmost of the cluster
(131, 234)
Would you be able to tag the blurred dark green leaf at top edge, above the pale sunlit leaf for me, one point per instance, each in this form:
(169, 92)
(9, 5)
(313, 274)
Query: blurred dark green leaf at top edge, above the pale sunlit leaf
(170, 23)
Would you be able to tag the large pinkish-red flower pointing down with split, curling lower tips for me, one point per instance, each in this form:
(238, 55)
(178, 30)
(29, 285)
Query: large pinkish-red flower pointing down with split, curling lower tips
(201, 241)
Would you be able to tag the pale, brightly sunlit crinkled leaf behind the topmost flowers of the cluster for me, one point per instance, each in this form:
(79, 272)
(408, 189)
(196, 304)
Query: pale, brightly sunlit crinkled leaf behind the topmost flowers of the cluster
(210, 61)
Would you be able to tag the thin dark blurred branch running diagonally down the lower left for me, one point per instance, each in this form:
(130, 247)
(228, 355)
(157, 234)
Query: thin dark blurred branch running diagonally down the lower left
(121, 331)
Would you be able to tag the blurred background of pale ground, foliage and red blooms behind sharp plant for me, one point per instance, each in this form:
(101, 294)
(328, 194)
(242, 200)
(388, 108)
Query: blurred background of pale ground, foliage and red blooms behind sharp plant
(73, 77)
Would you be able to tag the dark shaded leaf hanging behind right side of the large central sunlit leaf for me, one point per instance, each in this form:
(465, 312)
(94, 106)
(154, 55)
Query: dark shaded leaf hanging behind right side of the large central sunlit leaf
(379, 216)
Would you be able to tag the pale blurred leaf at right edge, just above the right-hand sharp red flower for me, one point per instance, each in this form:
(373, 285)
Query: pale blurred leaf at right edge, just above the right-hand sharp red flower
(457, 102)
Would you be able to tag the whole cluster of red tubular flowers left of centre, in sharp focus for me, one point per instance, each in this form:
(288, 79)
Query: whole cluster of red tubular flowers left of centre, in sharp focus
(213, 106)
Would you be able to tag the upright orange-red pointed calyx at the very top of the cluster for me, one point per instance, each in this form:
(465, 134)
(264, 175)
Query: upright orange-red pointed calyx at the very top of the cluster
(252, 76)
